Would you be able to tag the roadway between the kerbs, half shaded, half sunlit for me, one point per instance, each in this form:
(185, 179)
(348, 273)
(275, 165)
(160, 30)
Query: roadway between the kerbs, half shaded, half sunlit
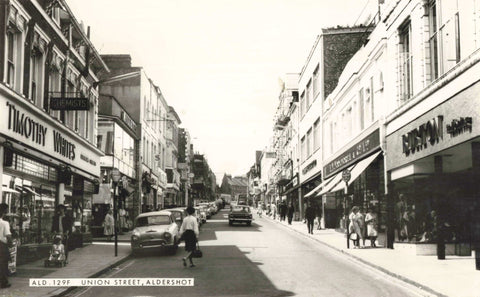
(265, 259)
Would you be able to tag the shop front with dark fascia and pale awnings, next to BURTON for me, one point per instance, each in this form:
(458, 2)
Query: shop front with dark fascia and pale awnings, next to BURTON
(354, 177)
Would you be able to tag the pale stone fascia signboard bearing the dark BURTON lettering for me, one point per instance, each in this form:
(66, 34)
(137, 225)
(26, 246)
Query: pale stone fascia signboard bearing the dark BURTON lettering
(444, 126)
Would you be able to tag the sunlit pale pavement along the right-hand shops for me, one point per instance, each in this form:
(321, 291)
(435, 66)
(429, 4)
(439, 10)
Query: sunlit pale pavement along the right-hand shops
(454, 276)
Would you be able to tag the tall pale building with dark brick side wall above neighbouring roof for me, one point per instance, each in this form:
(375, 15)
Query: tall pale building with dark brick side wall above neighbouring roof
(318, 78)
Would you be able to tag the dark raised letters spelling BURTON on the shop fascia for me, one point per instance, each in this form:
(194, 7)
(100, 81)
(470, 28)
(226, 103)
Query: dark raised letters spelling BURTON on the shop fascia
(427, 133)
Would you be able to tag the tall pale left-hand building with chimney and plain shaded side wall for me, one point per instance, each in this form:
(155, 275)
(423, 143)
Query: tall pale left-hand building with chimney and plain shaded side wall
(145, 103)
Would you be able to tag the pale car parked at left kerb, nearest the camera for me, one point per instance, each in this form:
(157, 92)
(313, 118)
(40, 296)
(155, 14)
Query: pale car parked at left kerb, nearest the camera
(155, 230)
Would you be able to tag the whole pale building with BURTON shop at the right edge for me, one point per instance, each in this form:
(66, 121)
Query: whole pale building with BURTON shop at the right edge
(432, 142)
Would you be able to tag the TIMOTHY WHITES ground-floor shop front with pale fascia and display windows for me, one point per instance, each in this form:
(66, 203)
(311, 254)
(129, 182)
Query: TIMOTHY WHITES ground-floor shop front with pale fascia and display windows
(44, 164)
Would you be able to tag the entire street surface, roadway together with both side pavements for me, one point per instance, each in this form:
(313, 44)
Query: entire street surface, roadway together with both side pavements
(269, 258)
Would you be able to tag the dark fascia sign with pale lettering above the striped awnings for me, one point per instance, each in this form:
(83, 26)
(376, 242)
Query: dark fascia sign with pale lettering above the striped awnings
(356, 152)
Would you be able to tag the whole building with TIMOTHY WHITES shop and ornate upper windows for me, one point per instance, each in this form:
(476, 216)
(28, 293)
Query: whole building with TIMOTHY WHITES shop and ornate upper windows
(48, 133)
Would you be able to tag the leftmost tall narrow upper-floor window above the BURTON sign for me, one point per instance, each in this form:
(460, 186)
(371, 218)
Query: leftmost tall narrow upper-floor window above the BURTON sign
(405, 61)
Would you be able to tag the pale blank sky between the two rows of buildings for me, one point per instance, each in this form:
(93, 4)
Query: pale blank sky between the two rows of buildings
(218, 62)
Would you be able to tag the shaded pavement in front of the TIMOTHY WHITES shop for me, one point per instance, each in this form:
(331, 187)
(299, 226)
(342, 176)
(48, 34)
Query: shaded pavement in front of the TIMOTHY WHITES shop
(87, 262)
